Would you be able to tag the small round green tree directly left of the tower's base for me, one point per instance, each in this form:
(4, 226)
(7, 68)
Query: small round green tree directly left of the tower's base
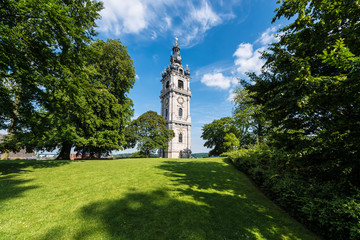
(149, 133)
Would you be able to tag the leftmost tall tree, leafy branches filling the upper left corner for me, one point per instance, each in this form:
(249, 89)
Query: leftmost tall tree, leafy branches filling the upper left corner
(41, 45)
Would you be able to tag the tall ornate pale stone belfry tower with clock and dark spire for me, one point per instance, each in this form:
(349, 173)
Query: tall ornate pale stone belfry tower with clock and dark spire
(175, 106)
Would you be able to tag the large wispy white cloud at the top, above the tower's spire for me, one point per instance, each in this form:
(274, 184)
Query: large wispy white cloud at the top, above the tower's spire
(187, 19)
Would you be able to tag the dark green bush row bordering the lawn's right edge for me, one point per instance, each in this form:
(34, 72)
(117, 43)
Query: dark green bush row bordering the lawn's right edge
(330, 208)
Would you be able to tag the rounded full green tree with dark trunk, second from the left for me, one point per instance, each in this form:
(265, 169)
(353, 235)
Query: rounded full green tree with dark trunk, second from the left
(93, 115)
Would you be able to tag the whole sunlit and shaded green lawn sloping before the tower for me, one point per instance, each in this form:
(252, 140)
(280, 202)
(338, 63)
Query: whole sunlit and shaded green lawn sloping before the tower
(137, 199)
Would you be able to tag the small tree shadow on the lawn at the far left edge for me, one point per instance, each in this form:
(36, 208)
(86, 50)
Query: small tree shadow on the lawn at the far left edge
(10, 185)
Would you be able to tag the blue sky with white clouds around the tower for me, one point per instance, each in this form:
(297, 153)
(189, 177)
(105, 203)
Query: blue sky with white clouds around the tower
(219, 40)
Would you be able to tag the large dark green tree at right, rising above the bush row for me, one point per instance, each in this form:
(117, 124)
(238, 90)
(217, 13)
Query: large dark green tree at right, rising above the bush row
(310, 88)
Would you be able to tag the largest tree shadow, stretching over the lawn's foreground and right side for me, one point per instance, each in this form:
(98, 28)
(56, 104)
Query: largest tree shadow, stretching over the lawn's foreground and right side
(209, 202)
